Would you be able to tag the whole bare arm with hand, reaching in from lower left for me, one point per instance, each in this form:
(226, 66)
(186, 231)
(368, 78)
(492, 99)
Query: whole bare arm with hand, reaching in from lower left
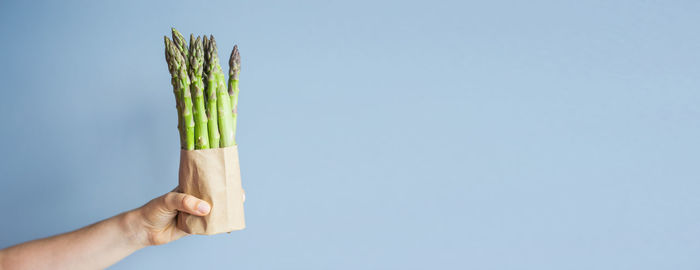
(104, 243)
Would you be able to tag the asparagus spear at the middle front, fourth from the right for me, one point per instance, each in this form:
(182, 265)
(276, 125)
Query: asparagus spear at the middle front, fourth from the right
(197, 87)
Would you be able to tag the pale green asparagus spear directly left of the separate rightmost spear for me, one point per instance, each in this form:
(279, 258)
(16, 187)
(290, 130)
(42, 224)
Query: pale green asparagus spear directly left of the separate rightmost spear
(223, 104)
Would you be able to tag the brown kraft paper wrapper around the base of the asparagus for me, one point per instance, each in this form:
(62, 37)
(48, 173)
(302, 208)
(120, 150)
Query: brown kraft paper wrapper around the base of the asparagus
(212, 175)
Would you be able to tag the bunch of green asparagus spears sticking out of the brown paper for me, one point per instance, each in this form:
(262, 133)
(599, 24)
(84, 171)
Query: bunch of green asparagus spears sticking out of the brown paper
(206, 105)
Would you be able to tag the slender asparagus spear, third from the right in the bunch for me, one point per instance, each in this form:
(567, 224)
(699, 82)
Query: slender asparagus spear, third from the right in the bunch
(211, 83)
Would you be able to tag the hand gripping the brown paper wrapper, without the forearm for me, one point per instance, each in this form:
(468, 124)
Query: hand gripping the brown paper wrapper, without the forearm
(156, 220)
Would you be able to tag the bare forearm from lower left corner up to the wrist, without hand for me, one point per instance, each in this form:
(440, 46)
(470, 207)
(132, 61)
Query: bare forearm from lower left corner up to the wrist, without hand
(93, 247)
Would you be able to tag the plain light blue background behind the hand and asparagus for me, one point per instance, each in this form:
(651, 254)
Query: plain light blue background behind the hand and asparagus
(373, 134)
